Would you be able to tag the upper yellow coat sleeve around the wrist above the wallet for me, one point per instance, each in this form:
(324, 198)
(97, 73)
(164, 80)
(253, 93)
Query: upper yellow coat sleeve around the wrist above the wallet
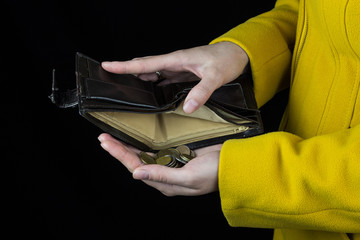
(268, 40)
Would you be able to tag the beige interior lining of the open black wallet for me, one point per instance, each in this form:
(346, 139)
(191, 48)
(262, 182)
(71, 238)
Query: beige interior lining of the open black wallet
(173, 128)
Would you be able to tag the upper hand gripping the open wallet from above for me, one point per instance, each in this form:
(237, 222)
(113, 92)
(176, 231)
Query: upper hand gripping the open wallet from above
(215, 65)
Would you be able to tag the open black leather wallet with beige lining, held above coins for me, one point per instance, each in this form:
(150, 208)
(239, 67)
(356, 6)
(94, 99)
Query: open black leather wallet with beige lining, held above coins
(150, 116)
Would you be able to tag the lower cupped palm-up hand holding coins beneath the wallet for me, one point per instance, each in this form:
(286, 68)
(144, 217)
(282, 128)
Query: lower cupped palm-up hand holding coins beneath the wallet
(199, 176)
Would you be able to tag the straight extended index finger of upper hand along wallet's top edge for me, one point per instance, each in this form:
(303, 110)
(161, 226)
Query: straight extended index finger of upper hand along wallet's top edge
(143, 65)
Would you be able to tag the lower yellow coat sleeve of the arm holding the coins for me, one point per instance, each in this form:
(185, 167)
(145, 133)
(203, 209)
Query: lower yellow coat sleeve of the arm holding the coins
(279, 180)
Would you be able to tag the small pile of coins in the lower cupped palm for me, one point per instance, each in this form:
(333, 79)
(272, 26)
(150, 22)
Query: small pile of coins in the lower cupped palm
(172, 157)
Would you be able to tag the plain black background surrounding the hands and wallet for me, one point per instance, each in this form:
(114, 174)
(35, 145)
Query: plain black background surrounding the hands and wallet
(64, 186)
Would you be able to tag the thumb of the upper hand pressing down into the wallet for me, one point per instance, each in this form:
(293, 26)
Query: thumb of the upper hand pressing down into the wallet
(199, 95)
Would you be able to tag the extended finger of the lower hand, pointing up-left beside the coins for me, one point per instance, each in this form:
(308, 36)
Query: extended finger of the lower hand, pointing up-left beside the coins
(121, 152)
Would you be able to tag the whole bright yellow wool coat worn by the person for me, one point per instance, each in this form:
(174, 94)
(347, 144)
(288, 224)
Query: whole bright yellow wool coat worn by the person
(303, 181)
